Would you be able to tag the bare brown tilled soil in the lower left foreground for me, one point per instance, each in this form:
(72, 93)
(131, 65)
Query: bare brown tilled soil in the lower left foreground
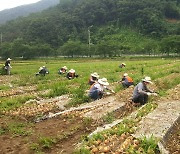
(65, 131)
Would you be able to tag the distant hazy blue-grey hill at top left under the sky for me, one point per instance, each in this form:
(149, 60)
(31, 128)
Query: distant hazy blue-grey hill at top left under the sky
(25, 10)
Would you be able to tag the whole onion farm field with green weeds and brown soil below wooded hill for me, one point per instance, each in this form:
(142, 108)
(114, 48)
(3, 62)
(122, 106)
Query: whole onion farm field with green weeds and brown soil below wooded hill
(51, 114)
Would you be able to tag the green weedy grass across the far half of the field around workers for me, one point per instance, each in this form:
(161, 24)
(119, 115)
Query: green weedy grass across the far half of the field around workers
(23, 74)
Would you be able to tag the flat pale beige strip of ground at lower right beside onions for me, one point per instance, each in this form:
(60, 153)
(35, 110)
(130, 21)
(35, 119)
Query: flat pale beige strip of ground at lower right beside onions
(160, 120)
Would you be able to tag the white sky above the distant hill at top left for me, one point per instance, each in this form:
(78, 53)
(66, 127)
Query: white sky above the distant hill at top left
(7, 4)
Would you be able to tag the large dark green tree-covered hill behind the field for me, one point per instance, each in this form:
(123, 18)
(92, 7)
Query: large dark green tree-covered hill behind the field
(91, 27)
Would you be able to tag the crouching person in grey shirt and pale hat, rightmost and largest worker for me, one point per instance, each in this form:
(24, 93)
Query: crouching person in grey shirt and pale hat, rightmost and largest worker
(141, 92)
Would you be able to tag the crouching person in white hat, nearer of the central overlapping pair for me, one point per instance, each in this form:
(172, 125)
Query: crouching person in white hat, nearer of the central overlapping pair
(97, 90)
